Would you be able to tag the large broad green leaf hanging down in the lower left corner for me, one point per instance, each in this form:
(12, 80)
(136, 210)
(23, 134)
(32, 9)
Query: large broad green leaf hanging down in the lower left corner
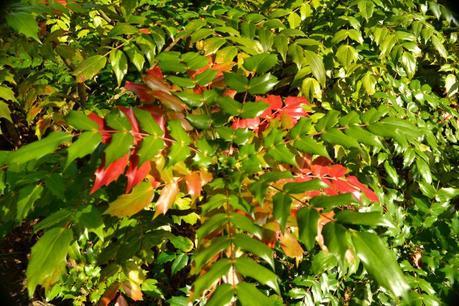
(48, 258)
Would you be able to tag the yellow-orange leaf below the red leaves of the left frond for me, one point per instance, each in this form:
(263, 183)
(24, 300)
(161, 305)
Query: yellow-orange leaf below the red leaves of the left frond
(129, 204)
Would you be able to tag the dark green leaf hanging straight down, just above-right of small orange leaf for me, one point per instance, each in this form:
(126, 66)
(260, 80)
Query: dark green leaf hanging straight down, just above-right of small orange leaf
(307, 219)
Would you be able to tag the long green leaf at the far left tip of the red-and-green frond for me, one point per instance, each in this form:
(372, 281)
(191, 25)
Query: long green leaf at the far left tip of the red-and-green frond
(38, 149)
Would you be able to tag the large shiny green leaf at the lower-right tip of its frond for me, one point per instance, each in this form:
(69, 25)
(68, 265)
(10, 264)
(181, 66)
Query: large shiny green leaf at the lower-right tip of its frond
(380, 262)
